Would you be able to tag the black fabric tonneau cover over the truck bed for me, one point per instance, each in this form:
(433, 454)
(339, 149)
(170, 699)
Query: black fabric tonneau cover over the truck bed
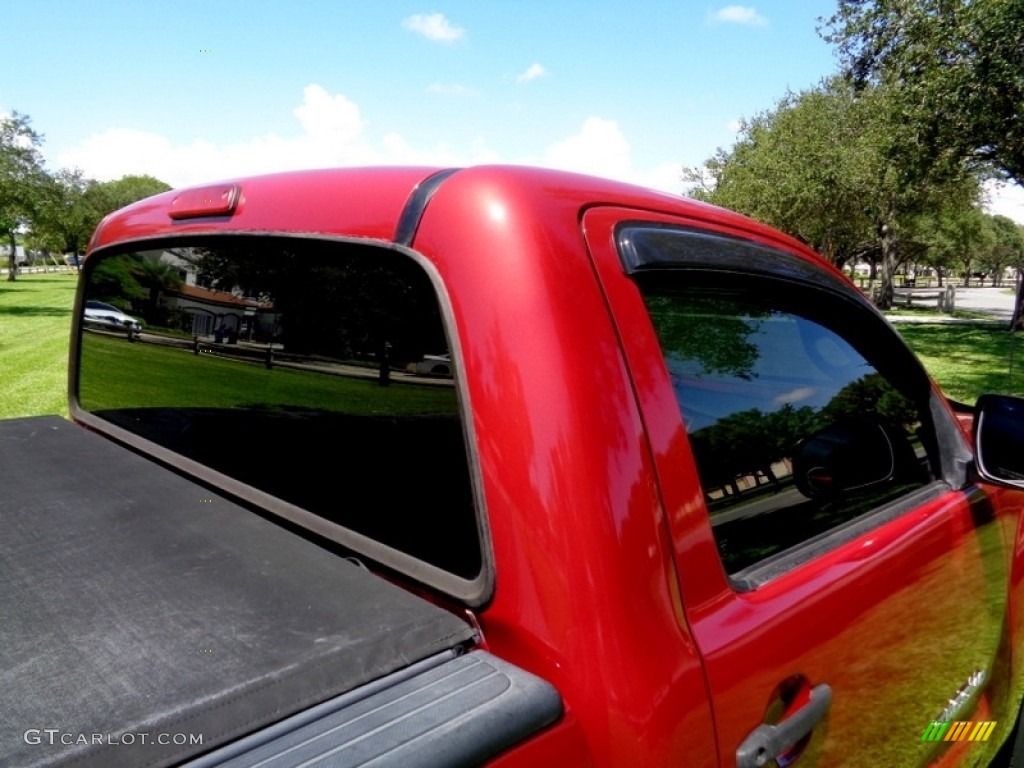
(141, 612)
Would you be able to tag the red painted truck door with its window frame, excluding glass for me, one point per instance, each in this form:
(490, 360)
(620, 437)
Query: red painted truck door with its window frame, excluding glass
(865, 618)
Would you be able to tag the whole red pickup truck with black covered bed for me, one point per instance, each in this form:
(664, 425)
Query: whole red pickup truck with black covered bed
(660, 472)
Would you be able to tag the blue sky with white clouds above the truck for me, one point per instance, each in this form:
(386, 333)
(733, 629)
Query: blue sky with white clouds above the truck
(196, 92)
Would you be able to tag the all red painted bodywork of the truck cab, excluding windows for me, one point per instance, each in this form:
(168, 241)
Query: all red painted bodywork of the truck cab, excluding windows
(609, 583)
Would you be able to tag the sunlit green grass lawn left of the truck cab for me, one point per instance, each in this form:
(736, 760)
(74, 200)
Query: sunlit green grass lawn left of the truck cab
(35, 322)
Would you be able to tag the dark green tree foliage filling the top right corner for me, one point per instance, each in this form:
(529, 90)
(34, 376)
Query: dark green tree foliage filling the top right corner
(957, 67)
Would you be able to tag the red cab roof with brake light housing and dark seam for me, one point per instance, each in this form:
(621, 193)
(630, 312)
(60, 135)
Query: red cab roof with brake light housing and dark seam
(378, 202)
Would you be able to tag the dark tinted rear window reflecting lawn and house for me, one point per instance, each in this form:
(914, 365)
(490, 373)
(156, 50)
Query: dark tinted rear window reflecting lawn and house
(316, 373)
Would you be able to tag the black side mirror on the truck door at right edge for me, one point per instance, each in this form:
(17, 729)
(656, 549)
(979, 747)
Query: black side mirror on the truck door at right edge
(999, 440)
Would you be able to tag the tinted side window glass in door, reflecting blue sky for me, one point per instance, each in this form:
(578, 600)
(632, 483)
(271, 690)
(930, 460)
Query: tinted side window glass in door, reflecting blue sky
(798, 420)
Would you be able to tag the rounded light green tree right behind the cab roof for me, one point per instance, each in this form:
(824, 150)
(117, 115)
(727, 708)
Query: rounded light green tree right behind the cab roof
(838, 168)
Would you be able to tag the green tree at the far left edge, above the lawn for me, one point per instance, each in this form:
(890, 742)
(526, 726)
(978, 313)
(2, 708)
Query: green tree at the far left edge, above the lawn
(23, 180)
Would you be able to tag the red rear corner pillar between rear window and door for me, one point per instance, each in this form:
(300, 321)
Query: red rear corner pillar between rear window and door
(580, 543)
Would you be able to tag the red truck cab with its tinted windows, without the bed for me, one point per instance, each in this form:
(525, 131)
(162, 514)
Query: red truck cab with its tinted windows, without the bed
(677, 468)
